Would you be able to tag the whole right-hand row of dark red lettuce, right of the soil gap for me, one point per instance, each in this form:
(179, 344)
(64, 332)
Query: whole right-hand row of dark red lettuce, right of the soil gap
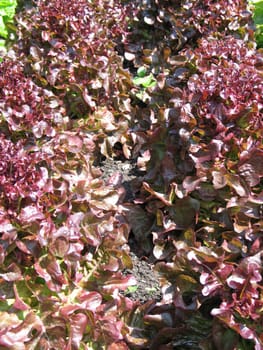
(200, 139)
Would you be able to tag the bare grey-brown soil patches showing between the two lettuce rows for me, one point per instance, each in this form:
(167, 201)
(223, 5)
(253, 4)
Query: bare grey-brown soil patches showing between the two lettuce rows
(148, 286)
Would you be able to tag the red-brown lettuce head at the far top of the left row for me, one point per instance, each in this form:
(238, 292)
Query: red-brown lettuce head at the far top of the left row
(72, 50)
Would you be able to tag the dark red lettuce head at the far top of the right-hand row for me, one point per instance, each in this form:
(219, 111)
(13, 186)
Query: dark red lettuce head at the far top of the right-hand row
(162, 28)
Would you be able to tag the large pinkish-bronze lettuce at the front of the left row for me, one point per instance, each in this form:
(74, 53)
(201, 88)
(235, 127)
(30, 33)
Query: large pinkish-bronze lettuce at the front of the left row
(62, 248)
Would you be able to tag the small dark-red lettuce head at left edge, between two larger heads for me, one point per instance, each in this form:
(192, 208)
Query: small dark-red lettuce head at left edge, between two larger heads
(27, 110)
